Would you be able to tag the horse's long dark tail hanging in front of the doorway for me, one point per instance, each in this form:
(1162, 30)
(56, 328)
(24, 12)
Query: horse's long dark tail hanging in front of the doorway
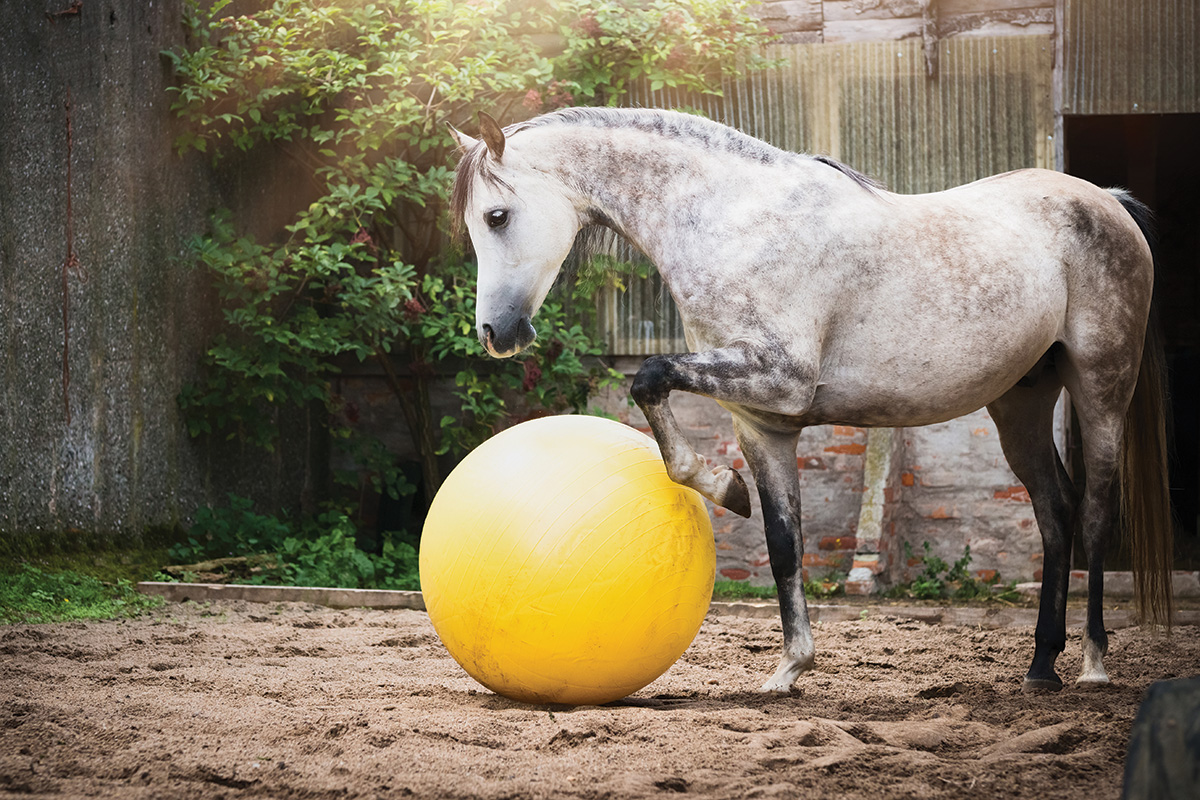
(1145, 495)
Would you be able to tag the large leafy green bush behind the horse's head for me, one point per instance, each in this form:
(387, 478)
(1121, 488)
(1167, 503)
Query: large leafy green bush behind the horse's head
(355, 98)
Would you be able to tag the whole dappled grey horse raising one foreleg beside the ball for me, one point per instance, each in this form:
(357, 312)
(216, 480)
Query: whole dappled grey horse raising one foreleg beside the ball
(811, 296)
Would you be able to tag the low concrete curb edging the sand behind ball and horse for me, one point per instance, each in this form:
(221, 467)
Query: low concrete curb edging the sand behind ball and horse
(965, 616)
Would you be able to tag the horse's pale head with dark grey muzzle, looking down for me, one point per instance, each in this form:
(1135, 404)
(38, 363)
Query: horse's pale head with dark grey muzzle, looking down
(523, 222)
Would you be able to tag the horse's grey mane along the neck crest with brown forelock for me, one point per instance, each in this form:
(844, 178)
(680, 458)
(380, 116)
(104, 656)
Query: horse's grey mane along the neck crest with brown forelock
(712, 135)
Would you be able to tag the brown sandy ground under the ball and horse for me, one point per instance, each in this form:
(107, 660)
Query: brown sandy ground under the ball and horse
(295, 701)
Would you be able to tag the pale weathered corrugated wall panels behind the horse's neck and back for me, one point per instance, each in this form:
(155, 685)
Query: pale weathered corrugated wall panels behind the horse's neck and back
(872, 106)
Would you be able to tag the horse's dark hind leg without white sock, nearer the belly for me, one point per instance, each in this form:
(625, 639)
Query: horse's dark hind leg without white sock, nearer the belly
(1024, 419)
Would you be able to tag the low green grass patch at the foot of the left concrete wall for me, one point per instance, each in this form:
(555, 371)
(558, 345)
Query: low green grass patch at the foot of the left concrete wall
(32, 596)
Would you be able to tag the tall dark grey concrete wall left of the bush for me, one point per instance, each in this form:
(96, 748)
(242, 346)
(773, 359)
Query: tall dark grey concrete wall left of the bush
(111, 460)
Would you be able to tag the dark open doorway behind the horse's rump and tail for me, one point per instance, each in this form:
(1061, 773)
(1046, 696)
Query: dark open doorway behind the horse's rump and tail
(1157, 159)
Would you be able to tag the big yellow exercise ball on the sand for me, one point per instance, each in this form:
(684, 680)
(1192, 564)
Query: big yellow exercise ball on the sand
(560, 564)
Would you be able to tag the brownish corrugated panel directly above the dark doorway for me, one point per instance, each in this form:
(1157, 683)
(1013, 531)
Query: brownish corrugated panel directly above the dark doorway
(1131, 57)
